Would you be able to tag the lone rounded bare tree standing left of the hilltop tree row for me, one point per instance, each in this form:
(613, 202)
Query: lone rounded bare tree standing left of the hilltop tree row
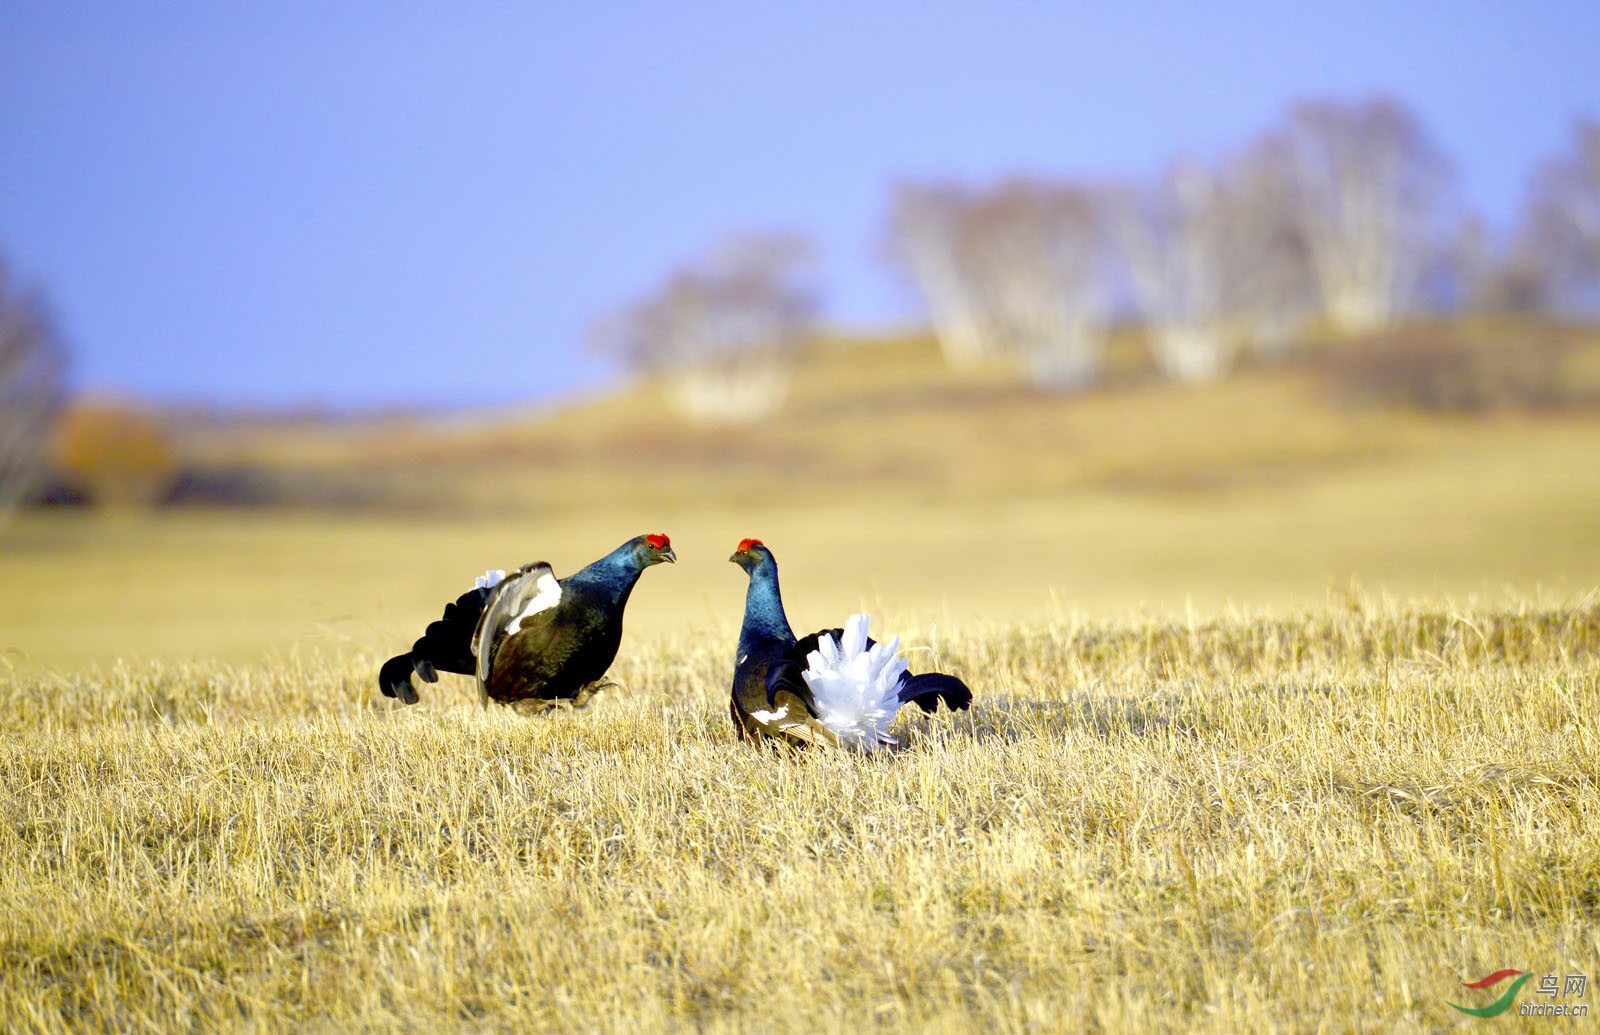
(721, 334)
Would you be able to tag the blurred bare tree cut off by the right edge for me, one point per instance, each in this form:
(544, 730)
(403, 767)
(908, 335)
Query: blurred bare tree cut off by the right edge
(1559, 241)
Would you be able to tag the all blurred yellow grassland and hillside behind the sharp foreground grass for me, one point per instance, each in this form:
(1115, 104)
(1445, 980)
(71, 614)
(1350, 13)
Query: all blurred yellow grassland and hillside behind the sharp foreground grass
(889, 482)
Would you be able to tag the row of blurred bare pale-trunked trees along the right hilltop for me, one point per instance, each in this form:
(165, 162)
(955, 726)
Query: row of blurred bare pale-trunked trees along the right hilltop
(1345, 214)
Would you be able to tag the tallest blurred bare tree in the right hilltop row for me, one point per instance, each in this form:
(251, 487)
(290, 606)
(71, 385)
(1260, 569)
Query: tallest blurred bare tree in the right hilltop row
(1370, 194)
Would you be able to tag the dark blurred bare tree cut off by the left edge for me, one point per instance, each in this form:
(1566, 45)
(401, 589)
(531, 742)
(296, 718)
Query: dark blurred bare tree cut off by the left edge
(33, 375)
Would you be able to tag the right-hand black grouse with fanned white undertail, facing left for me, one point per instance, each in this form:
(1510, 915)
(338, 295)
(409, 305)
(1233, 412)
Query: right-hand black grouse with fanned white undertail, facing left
(833, 687)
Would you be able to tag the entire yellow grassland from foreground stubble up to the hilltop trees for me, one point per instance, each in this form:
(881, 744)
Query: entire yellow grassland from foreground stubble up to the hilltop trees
(1286, 721)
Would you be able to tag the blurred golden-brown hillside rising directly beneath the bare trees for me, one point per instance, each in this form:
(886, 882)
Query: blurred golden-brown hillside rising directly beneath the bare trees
(889, 415)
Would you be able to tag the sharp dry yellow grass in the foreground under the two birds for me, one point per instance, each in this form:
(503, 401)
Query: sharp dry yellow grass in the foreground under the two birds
(1318, 821)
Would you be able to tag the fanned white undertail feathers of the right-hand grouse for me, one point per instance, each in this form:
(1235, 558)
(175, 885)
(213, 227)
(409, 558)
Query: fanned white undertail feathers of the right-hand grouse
(857, 689)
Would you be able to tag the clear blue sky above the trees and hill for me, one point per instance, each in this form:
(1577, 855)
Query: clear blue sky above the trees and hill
(386, 204)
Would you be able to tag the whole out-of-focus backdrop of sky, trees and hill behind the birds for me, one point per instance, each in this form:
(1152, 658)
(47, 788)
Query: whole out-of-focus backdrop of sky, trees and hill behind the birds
(974, 313)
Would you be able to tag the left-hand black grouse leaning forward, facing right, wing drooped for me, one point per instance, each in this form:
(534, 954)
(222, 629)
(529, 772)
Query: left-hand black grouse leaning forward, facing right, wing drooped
(530, 636)
